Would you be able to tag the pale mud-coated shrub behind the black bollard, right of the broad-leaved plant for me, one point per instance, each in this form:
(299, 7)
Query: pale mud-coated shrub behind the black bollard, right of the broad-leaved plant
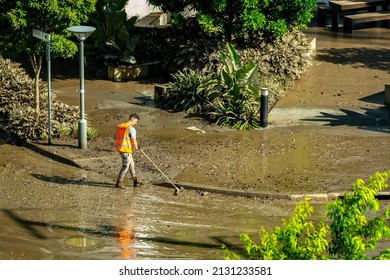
(279, 62)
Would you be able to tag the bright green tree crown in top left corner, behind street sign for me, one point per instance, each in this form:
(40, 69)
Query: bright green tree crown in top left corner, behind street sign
(19, 18)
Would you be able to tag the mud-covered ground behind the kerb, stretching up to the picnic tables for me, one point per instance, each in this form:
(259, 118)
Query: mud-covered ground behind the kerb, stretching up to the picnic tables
(329, 129)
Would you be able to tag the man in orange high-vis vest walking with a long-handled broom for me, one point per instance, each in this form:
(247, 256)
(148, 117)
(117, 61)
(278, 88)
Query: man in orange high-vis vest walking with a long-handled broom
(125, 142)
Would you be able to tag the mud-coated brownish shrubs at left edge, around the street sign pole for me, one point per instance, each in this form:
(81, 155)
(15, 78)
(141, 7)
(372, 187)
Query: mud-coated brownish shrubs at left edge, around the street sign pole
(23, 122)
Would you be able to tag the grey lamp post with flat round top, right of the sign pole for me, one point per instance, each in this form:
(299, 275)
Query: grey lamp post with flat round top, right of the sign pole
(82, 33)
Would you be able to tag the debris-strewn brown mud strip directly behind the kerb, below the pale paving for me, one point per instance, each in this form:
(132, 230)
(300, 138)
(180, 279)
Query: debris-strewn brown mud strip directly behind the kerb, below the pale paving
(278, 160)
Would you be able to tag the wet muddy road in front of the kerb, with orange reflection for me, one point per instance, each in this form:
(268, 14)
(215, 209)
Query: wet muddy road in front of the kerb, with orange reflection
(55, 216)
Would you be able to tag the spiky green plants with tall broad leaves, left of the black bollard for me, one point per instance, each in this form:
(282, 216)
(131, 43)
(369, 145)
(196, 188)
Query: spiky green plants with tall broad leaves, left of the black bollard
(230, 99)
